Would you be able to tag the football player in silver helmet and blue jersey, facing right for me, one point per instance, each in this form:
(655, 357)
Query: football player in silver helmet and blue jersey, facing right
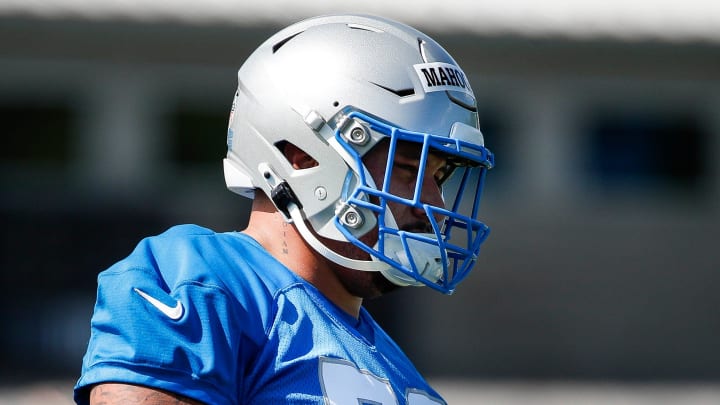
(357, 138)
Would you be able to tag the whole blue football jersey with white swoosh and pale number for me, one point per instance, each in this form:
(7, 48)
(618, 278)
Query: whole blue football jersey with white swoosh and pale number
(212, 316)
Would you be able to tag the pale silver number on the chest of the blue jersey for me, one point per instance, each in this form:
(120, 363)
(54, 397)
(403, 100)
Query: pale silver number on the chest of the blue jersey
(343, 383)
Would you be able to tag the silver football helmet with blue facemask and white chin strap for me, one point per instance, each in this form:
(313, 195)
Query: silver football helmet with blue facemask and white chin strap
(335, 86)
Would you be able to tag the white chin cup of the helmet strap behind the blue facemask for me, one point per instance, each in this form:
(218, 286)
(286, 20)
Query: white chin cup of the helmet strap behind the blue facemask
(426, 257)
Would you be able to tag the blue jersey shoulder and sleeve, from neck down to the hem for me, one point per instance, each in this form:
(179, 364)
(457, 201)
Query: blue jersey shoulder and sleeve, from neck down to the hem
(185, 312)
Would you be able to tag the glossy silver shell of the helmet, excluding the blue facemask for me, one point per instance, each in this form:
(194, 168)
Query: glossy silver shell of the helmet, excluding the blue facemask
(318, 67)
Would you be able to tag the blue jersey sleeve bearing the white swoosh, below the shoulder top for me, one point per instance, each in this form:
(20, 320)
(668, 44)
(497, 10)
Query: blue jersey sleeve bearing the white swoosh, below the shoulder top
(188, 339)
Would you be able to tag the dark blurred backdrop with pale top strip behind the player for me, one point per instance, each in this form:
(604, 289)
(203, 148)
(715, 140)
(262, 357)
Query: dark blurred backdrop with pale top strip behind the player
(601, 274)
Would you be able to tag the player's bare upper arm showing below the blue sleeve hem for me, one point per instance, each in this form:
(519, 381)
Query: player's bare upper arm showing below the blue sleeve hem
(113, 393)
